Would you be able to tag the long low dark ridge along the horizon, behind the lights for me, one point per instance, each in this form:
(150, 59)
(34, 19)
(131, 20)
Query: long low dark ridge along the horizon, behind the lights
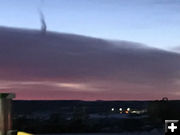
(58, 106)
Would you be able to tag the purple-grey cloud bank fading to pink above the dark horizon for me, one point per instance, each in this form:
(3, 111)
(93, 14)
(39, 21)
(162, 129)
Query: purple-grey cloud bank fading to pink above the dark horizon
(121, 69)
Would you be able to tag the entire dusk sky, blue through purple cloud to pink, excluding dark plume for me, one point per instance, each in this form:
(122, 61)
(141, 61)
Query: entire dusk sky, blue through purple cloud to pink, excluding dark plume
(93, 50)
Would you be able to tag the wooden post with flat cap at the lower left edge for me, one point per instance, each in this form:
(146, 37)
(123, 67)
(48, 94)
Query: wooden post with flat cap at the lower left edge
(5, 112)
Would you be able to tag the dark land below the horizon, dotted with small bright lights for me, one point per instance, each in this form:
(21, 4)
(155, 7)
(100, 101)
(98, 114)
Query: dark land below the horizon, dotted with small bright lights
(110, 117)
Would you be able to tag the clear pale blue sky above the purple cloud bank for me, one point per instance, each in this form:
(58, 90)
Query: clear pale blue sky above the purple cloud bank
(152, 22)
